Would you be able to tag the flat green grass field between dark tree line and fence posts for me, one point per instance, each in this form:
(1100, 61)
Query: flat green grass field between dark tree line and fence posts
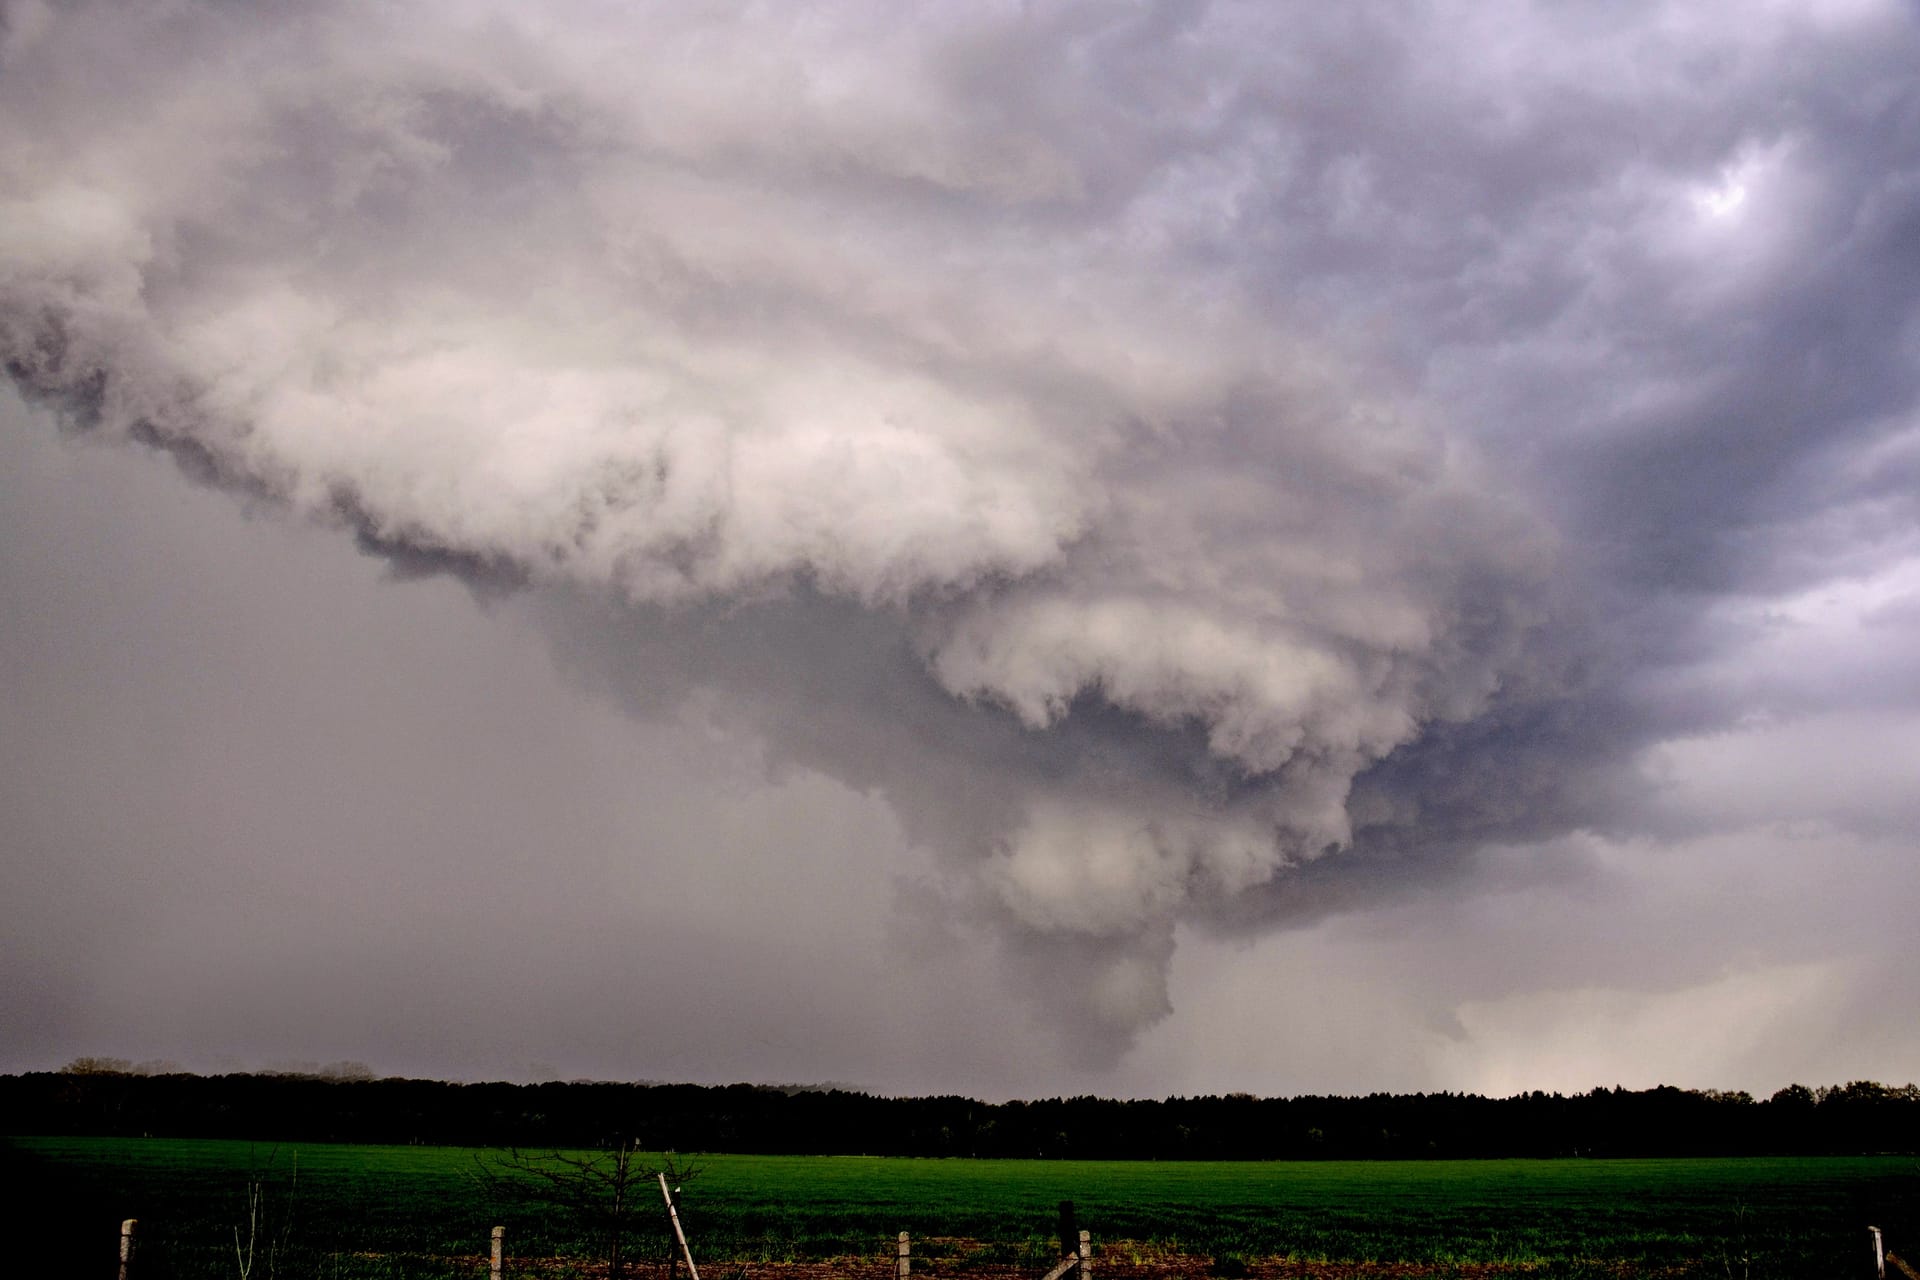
(425, 1212)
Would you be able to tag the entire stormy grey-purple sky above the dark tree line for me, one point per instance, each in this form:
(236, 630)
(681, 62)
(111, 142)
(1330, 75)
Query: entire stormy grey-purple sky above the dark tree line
(986, 550)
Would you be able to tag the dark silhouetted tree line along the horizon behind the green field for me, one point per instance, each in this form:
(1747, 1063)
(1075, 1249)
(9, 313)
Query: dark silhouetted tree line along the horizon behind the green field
(354, 1106)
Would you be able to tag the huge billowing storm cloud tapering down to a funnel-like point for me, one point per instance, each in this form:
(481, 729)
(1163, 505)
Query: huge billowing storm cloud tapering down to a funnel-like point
(1201, 465)
